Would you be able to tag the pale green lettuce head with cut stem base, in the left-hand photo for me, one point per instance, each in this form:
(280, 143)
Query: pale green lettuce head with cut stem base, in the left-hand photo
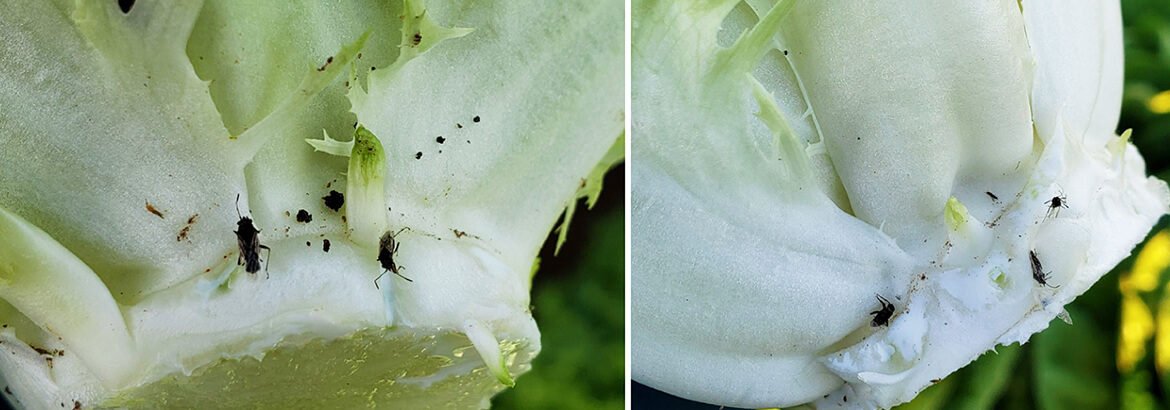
(126, 139)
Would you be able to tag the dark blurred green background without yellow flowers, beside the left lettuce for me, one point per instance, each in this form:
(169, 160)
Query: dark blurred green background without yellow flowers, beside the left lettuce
(579, 300)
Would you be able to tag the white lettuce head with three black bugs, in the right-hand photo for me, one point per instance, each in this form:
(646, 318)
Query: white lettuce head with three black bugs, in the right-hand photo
(796, 160)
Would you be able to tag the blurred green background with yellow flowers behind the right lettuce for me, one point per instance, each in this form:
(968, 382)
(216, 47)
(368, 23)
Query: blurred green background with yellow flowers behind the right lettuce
(1117, 356)
